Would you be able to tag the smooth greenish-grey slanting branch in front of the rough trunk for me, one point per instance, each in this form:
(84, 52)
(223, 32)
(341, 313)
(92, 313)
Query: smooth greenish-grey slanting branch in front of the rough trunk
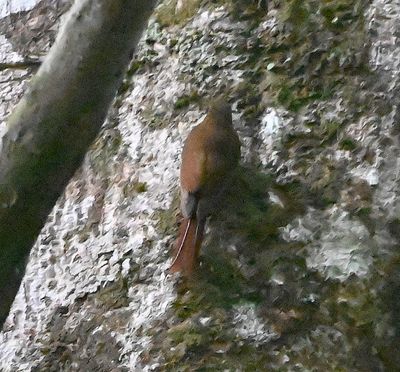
(54, 123)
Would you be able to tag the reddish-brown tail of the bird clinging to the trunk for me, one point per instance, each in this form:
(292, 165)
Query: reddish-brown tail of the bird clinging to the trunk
(187, 246)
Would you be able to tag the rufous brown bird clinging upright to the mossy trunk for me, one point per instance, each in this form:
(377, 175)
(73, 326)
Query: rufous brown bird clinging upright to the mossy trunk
(210, 155)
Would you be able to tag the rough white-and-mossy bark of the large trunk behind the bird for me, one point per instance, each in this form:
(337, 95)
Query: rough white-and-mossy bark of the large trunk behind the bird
(300, 271)
